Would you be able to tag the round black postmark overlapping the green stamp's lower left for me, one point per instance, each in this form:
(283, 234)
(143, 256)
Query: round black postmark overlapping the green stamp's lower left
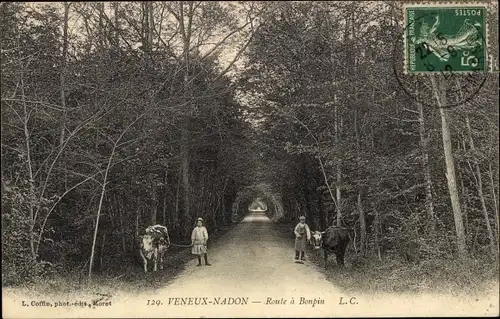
(458, 87)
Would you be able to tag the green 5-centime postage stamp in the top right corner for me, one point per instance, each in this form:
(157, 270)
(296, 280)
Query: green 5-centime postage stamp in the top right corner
(445, 38)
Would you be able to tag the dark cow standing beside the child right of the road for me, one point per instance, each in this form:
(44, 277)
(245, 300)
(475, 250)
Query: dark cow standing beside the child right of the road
(333, 240)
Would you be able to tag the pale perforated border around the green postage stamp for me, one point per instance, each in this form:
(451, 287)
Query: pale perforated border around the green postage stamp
(440, 4)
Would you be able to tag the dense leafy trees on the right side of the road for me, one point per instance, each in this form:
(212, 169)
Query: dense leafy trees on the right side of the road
(344, 144)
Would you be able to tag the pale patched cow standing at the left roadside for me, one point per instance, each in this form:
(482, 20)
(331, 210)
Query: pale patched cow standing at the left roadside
(153, 246)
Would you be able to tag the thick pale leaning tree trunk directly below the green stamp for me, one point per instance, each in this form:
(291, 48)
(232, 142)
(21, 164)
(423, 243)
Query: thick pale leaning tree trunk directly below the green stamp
(440, 94)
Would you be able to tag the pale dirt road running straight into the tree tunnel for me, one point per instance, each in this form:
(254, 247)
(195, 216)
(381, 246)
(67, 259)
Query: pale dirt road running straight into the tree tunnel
(253, 264)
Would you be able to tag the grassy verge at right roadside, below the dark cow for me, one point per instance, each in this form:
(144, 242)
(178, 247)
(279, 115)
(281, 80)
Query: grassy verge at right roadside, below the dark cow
(441, 276)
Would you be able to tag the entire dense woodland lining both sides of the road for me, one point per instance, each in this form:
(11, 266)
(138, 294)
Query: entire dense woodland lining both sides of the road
(117, 116)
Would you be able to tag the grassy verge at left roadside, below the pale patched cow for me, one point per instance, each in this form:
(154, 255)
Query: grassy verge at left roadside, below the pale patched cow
(127, 277)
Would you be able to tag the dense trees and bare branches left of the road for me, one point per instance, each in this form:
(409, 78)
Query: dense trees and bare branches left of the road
(102, 121)
